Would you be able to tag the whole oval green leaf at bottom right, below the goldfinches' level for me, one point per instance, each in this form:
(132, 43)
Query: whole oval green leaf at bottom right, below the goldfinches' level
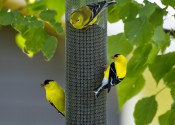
(145, 110)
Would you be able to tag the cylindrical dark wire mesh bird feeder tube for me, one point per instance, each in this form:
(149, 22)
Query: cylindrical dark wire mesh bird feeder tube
(85, 56)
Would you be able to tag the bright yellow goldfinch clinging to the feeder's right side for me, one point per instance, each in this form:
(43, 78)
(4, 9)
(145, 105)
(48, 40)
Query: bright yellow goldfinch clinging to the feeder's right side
(113, 74)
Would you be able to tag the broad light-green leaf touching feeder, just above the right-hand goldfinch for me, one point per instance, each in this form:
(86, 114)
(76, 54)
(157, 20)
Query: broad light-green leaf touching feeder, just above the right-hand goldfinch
(118, 44)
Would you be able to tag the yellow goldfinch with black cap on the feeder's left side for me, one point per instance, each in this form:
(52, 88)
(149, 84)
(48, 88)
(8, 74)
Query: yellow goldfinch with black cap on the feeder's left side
(55, 95)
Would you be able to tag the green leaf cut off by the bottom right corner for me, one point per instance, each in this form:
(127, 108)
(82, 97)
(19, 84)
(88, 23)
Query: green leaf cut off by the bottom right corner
(168, 118)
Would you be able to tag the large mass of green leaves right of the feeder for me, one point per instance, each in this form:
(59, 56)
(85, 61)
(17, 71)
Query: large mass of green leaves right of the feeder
(144, 42)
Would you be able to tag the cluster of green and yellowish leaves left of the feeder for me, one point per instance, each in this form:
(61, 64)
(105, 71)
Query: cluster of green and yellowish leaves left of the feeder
(38, 24)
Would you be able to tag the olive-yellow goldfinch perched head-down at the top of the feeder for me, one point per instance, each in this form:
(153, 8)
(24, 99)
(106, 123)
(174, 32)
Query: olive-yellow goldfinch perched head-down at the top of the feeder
(87, 15)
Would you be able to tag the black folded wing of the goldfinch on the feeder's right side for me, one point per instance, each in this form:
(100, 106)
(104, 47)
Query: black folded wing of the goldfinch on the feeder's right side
(113, 79)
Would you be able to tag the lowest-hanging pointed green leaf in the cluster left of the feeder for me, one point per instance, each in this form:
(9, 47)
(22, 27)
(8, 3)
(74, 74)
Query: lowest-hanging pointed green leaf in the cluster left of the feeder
(49, 47)
